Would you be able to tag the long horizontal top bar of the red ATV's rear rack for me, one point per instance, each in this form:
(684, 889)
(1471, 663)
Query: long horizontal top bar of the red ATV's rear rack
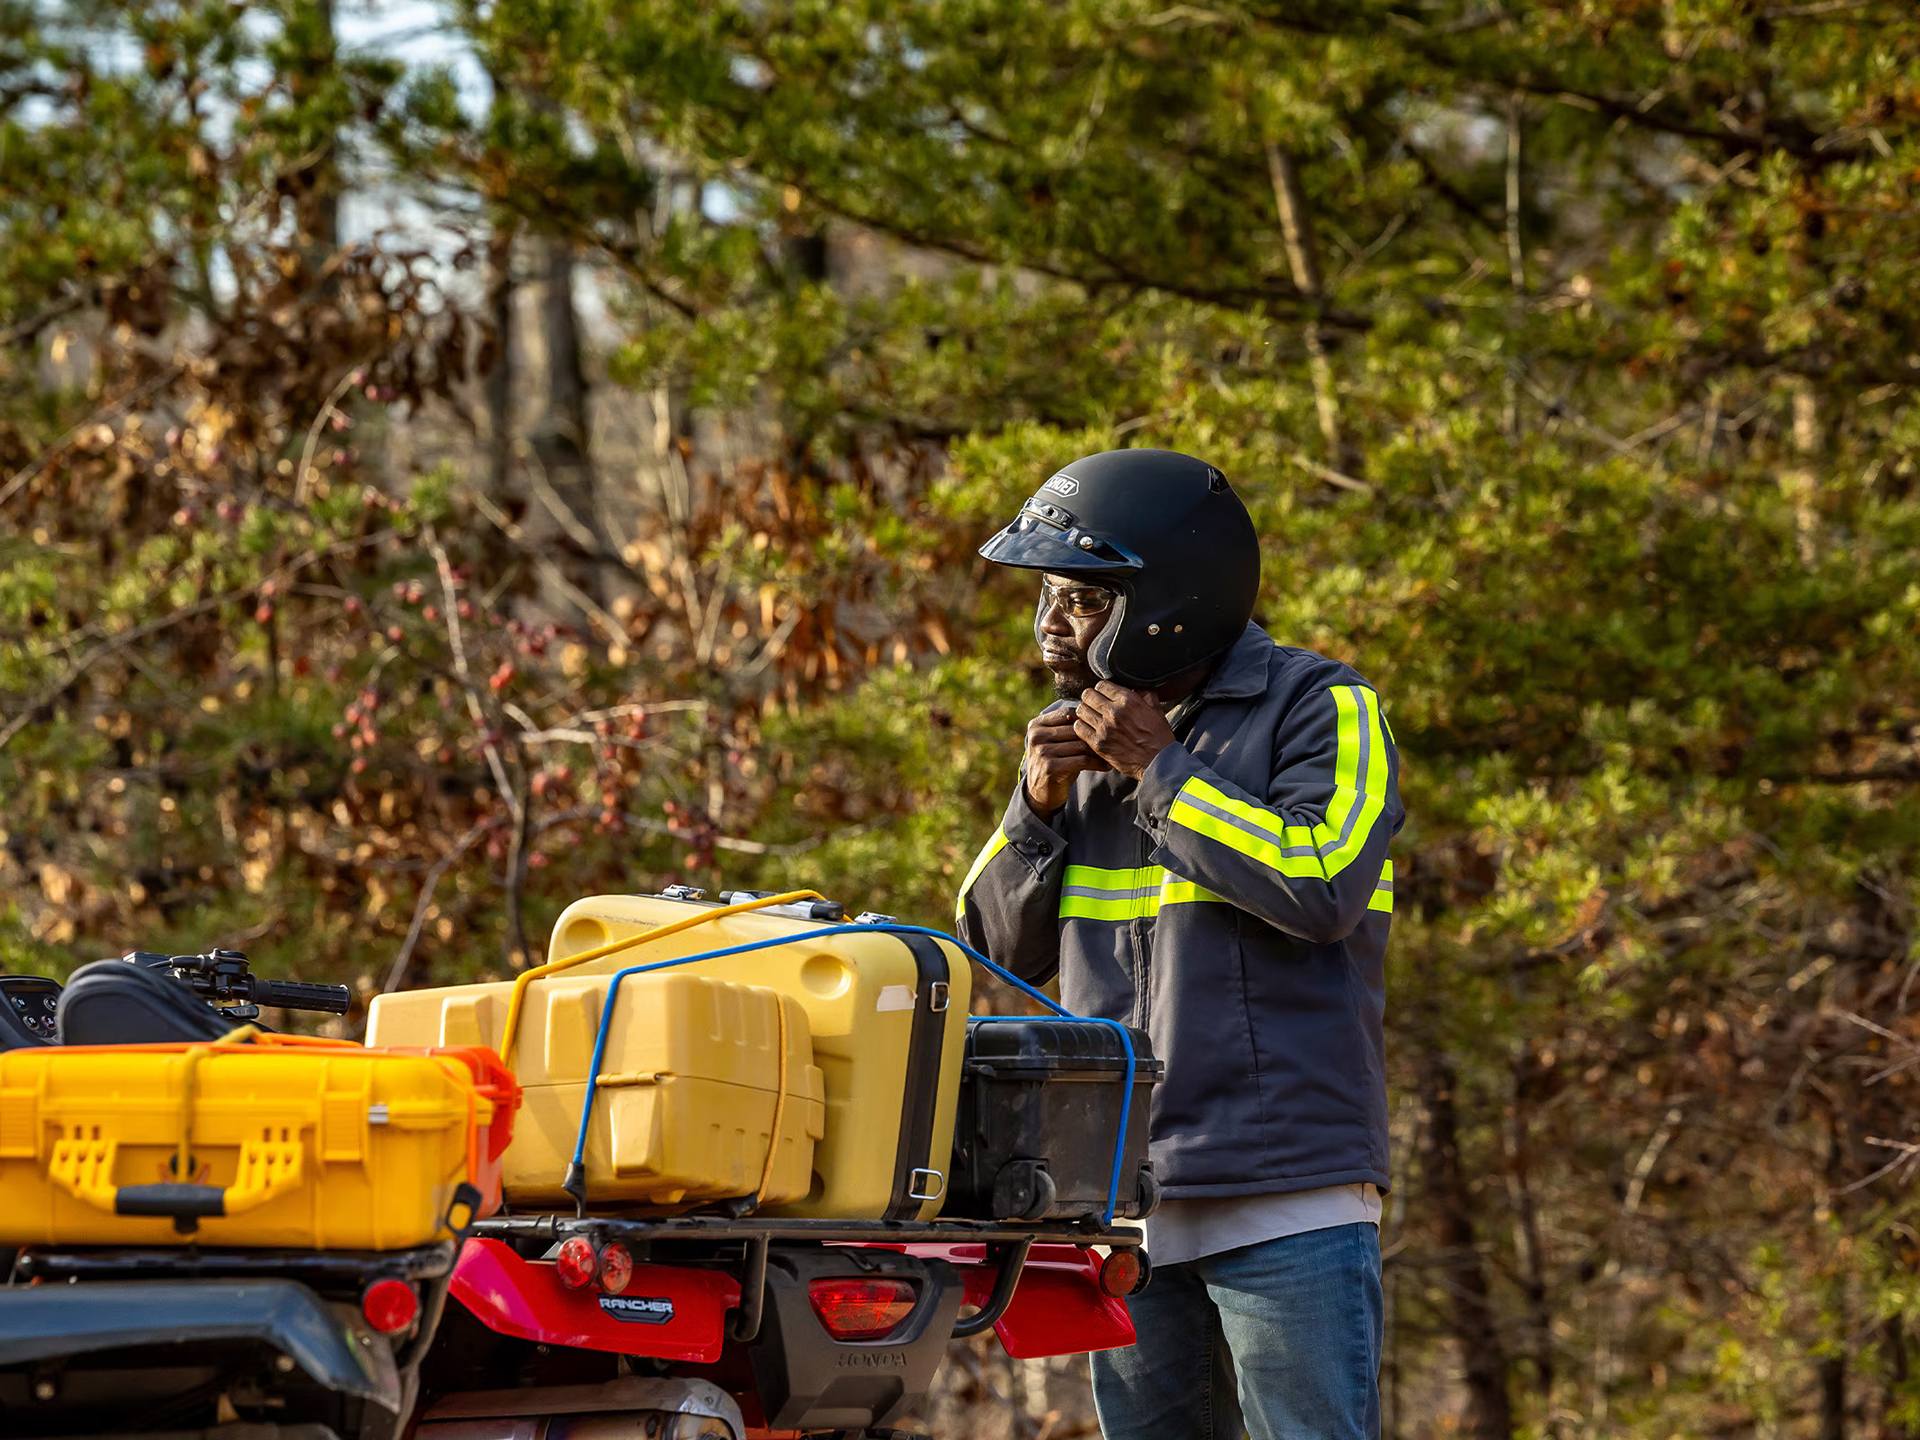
(754, 1228)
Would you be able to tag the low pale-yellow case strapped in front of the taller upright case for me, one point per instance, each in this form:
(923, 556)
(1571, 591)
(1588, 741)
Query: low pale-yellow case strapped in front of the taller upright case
(694, 1080)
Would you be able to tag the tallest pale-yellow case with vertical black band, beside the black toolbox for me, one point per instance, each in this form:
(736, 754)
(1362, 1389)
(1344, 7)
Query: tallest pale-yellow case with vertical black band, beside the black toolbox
(888, 1019)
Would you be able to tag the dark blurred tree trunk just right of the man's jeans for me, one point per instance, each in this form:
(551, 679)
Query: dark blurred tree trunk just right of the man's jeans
(1483, 1355)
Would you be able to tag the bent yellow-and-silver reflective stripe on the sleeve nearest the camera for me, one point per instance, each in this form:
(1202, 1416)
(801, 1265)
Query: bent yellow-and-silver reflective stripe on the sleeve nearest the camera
(1305, 852)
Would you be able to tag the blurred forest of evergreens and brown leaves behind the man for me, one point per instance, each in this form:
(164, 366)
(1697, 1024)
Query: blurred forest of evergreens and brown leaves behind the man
(458, 458)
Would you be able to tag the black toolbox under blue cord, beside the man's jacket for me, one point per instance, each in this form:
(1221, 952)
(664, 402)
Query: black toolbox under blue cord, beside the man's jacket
(1040, 1113)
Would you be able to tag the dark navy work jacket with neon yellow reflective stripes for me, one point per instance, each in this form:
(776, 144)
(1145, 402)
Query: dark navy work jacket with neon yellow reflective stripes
(1236, 905)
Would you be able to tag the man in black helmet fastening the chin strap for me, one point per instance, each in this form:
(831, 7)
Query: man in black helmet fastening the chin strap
(1199, 848)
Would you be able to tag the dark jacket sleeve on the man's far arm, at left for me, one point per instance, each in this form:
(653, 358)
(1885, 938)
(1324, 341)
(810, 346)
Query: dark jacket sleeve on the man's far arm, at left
(1009, 905)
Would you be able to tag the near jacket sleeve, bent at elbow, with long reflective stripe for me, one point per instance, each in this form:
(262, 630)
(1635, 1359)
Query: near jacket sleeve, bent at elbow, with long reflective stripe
(1310, 855)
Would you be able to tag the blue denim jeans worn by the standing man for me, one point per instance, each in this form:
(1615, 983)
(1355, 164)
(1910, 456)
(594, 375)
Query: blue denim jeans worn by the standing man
(1301, 1320)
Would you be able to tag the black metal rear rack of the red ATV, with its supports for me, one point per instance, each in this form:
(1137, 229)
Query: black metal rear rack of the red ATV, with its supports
(1007, 1245)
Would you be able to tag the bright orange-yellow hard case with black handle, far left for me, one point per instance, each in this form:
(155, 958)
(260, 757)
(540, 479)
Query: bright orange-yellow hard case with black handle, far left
(239, 1145)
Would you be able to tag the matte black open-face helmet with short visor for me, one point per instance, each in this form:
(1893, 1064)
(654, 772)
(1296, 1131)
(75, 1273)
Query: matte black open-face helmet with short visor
(1161, 529)
